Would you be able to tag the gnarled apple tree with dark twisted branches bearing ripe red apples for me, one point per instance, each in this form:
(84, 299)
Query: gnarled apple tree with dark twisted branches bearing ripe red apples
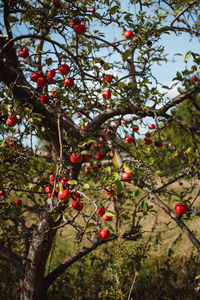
(78, 115)
